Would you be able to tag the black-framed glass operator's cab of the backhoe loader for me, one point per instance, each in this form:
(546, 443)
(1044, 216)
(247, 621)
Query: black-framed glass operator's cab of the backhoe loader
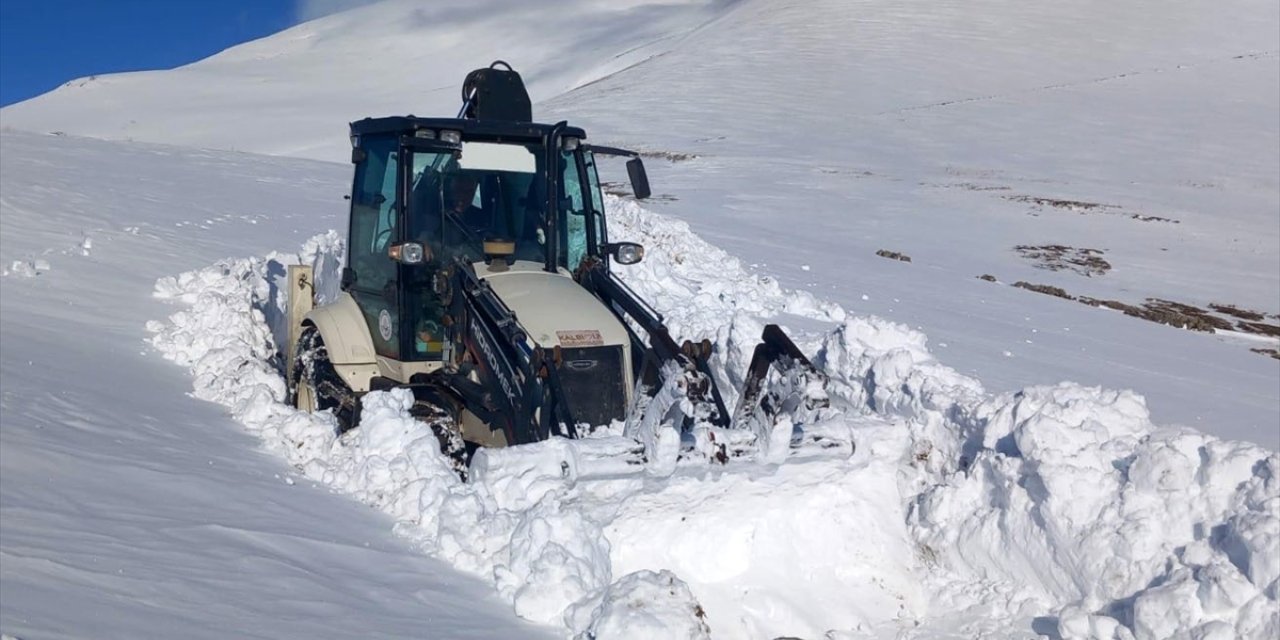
(433, 194)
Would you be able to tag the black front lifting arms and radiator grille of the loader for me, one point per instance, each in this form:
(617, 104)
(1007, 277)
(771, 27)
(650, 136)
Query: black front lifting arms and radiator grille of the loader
(534, 394)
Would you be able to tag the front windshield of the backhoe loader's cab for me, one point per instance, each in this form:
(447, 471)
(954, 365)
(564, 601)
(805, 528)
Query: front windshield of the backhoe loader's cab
(456, 202)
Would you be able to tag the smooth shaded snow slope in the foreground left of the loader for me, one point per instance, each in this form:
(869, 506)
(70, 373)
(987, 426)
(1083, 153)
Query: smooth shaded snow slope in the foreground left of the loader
(130, 510)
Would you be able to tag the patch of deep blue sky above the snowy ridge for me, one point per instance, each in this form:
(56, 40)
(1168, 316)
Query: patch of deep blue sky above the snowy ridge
(48, 43)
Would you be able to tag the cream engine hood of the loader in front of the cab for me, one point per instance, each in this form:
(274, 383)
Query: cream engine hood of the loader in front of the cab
(552, 308)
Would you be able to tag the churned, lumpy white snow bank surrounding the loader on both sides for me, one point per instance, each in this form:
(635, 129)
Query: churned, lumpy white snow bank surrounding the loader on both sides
(1060, 504)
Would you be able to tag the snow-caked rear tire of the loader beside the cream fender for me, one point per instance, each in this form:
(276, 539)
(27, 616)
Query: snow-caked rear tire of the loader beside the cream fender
(316, 385)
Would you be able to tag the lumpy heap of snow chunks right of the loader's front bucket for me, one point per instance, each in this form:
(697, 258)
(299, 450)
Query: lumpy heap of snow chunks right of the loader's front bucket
(1073, 497)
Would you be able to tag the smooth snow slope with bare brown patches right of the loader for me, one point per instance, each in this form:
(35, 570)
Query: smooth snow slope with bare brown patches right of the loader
(826, 131)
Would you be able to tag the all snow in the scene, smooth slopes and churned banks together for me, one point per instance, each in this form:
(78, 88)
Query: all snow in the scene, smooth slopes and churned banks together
(1131, 150)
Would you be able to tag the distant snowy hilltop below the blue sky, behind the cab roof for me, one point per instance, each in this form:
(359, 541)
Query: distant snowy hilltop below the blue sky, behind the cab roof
(292, 94)
